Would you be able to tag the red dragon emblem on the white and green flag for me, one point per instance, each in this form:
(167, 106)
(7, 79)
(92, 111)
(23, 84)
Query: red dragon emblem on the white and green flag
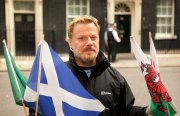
(156, 86)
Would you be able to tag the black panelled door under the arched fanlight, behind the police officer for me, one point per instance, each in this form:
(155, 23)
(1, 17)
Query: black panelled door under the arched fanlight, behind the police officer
(123, 25)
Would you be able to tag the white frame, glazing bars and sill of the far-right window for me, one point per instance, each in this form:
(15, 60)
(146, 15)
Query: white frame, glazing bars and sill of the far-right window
(166, 35)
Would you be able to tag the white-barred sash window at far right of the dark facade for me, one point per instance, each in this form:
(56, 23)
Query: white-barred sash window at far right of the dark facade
(165, 19)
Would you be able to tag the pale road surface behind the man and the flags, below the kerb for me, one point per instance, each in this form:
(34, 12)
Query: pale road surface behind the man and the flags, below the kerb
(169, 75)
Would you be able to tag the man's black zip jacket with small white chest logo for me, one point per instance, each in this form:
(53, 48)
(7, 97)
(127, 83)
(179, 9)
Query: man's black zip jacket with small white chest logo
(108, 86)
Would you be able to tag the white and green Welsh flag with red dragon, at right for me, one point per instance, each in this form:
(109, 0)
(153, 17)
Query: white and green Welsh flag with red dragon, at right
(161, 102)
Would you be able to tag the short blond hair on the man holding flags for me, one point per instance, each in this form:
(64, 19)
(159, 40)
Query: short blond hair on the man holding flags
(82, 20)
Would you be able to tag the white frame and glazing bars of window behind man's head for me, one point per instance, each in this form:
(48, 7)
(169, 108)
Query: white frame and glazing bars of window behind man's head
(74, 15)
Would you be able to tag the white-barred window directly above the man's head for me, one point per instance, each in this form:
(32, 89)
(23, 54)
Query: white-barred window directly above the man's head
(76, 8)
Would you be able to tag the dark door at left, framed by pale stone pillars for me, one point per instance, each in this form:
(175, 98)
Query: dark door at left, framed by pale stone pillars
(24, 34)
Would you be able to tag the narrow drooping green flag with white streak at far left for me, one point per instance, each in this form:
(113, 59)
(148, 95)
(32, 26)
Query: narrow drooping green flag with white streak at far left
(17, 79)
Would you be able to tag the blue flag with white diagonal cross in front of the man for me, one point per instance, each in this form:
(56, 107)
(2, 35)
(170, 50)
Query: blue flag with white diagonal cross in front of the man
(60, 91)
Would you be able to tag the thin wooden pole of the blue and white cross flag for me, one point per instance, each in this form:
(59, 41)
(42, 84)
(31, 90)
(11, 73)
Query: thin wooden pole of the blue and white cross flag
(39, 76)
